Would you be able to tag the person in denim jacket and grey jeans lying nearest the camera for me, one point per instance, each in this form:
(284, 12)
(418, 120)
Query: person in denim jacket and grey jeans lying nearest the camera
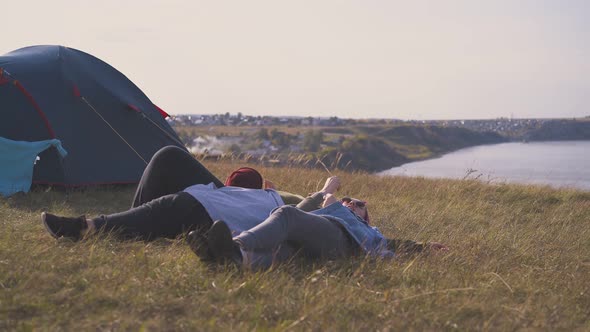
(340, 229)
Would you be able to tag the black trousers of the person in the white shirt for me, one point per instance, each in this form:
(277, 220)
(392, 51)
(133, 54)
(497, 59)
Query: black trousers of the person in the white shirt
(160, 208)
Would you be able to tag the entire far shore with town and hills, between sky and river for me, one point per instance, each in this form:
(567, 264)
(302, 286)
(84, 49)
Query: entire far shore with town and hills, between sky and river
(362, 146)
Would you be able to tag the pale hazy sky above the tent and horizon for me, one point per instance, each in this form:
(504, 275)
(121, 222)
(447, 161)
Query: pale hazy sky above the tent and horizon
(409, 59)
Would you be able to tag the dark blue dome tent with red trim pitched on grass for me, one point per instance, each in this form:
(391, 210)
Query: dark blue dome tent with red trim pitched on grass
(107, 125)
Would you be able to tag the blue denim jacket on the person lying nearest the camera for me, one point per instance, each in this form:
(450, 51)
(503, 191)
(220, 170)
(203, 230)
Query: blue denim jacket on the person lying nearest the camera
(369, 238)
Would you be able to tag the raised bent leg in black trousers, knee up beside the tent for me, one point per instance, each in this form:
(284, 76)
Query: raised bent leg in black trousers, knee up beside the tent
(171, 170)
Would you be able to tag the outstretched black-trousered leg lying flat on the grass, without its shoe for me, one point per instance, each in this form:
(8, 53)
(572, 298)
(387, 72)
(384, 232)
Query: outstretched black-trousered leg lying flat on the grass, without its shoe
(167, 216)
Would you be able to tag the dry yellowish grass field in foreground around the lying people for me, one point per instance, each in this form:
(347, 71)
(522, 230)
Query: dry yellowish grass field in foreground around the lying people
(519, 259)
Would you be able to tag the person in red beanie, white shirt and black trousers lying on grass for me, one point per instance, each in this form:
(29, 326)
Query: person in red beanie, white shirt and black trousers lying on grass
(177, 194)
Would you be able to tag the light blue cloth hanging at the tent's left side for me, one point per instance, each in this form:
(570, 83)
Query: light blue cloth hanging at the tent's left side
(17, 159)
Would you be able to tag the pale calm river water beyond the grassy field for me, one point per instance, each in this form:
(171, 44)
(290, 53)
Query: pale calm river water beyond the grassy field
(558, 164)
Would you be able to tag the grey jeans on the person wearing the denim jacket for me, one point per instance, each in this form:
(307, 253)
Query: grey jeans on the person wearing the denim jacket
(315, 236)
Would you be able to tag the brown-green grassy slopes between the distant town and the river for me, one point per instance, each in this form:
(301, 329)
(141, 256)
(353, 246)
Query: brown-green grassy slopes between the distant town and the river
(363, 147)
